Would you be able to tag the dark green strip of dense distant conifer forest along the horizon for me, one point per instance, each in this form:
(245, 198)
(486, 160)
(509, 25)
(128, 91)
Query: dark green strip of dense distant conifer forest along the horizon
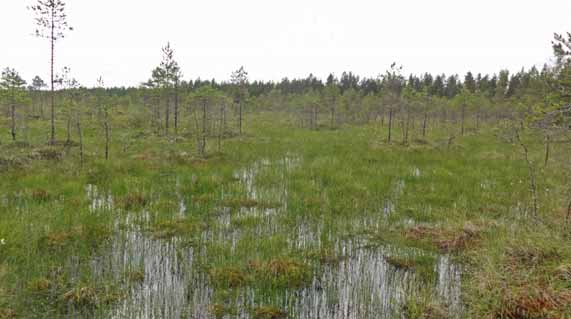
(501, 85)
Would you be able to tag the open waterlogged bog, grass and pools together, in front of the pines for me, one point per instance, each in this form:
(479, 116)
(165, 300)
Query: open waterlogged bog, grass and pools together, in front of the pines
(286, 223)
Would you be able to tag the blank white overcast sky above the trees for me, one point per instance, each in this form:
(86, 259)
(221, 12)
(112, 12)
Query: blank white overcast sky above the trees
(121, 39)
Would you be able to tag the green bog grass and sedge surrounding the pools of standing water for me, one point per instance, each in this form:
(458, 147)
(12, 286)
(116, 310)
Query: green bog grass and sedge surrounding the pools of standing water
(465, 200)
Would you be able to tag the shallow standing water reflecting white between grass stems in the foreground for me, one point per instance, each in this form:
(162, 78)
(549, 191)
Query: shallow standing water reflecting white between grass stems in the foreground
(171, 285)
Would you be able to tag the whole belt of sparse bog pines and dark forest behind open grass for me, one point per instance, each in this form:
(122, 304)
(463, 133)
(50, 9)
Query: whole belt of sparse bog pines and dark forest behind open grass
(165, 102)
